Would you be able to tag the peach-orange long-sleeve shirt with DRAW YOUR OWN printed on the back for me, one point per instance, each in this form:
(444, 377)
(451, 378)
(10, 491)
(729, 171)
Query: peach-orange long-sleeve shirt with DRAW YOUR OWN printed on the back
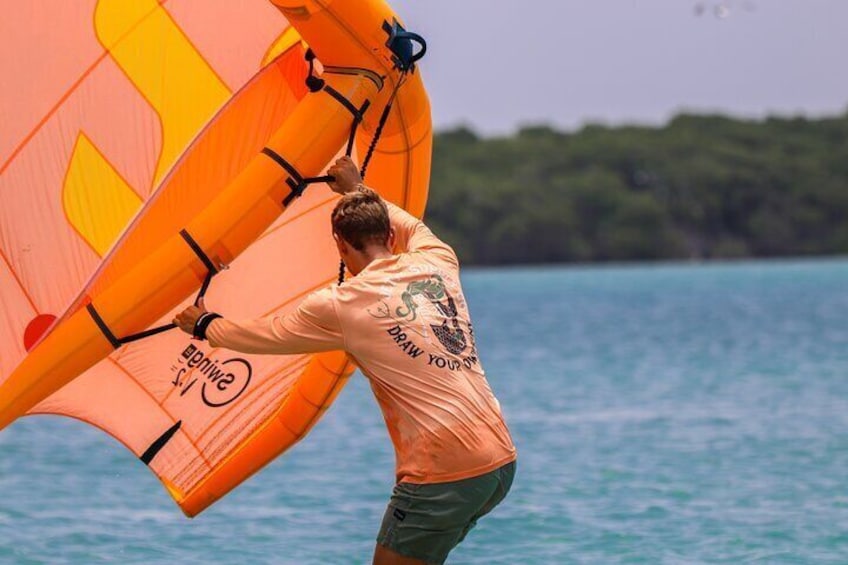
(405, 322)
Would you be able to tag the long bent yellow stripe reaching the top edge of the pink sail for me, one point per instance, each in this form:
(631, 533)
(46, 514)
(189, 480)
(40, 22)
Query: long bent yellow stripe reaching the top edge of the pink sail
(165, 67)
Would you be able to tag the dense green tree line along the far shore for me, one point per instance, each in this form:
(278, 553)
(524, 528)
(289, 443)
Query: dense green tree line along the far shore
(701, 187)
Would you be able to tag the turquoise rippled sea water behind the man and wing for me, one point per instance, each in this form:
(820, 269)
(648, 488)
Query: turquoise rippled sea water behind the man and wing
(663, 414)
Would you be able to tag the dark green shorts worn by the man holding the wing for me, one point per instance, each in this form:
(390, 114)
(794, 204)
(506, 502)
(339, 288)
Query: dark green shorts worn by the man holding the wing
(427, 521)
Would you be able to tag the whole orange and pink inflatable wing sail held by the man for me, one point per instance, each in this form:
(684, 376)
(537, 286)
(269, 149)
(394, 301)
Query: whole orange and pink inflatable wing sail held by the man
(155, 149)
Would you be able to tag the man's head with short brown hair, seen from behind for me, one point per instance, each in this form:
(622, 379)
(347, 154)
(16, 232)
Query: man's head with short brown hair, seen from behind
(361, 228)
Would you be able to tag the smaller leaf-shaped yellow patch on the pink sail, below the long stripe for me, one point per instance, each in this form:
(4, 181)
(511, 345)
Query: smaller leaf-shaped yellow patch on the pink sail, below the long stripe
(97, 201)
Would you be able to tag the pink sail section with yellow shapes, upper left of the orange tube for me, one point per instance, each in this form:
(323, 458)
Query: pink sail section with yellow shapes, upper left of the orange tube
(91, 129)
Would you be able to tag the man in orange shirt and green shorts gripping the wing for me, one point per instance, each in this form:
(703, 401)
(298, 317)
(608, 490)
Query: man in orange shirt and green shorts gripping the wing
(403, 319)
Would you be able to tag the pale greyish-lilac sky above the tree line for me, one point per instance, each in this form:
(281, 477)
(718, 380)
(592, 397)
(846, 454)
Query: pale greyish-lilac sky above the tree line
(496, 65)
